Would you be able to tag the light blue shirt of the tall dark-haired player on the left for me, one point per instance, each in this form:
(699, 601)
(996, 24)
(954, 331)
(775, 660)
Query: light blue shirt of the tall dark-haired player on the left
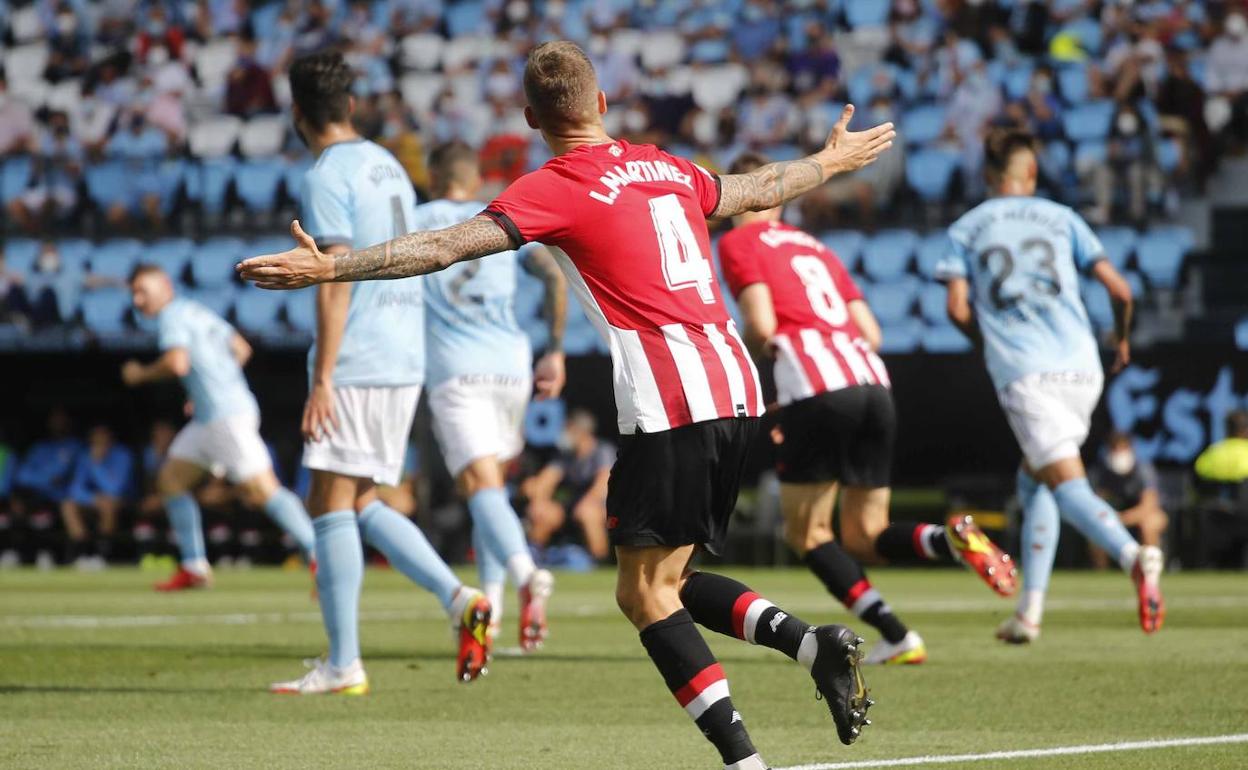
(359, 195)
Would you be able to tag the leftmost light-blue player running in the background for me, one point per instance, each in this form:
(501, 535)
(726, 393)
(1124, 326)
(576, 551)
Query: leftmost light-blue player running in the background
(208, 355)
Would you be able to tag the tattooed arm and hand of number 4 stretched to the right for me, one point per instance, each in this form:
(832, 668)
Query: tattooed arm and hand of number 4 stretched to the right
(777, 184)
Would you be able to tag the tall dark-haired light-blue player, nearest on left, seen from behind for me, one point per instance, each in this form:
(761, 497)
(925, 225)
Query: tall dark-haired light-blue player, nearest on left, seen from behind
(366, 371)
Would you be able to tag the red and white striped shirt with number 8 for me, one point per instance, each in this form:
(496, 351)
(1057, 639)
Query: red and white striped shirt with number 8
(818, 345)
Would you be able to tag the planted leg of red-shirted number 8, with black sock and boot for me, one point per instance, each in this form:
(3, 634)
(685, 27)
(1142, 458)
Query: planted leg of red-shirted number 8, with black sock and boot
(808, 516)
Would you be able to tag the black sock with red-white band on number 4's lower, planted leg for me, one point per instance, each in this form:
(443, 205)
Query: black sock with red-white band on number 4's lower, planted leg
(697, 681)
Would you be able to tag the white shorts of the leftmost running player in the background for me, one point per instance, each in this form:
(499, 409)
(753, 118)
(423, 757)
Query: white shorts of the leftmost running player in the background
(229, 447)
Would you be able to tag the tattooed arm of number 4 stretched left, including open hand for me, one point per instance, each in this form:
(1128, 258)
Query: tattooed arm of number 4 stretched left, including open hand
(412, 255)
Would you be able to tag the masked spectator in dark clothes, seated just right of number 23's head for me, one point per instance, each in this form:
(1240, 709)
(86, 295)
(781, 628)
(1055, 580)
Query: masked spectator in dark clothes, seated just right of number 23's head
(1131, 168)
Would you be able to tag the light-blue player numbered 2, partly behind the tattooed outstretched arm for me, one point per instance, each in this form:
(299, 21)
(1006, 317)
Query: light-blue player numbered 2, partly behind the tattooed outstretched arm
(480, 383)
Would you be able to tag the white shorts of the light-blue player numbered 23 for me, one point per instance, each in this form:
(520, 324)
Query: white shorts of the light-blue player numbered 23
(1051, 414)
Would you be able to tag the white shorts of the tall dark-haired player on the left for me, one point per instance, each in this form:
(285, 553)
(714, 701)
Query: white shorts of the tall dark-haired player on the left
(373, 434)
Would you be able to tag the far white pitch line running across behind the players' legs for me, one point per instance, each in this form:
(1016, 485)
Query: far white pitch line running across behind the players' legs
(935, 607)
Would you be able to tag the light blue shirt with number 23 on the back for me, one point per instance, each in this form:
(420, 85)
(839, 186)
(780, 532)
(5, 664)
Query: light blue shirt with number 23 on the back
(1023, 258)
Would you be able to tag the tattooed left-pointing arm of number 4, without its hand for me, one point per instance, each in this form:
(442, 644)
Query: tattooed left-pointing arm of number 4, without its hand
(422, 253)
